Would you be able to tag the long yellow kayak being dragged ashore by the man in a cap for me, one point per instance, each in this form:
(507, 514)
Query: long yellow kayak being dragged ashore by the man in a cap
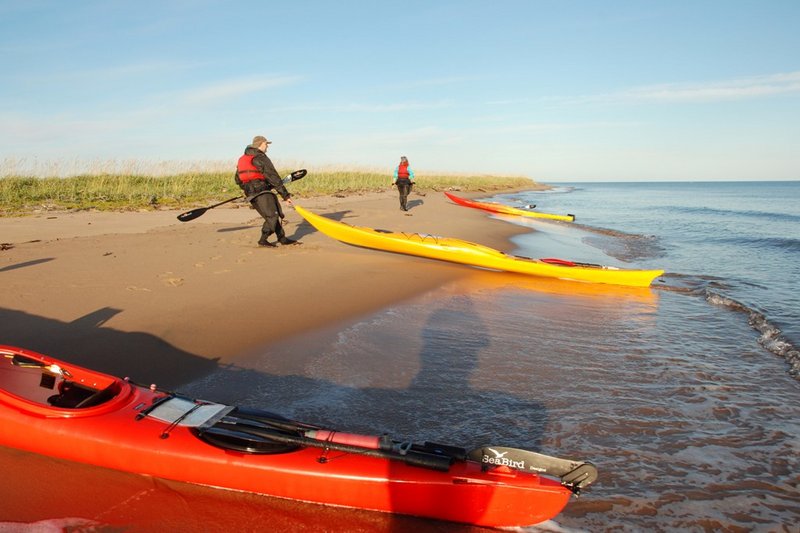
(469, 253)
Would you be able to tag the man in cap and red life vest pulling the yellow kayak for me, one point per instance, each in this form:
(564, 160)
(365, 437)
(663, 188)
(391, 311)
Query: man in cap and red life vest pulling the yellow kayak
(257, 177)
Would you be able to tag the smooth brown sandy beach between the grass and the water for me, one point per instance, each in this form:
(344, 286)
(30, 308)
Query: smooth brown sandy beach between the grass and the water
(141, 294)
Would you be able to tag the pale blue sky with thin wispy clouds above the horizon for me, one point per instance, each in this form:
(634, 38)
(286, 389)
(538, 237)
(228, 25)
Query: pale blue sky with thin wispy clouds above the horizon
(555, 90)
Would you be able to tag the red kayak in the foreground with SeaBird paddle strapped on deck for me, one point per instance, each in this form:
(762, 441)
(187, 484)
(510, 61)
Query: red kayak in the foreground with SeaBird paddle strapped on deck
(57, 409)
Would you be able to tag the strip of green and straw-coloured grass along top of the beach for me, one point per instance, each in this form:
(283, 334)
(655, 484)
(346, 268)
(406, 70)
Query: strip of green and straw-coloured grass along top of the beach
(23, 195)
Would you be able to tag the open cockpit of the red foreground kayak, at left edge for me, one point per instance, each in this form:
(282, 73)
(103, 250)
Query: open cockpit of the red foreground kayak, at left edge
(40, 383)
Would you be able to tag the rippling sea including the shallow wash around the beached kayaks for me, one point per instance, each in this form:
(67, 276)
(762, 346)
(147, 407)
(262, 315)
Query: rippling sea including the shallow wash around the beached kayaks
(685, 395)
